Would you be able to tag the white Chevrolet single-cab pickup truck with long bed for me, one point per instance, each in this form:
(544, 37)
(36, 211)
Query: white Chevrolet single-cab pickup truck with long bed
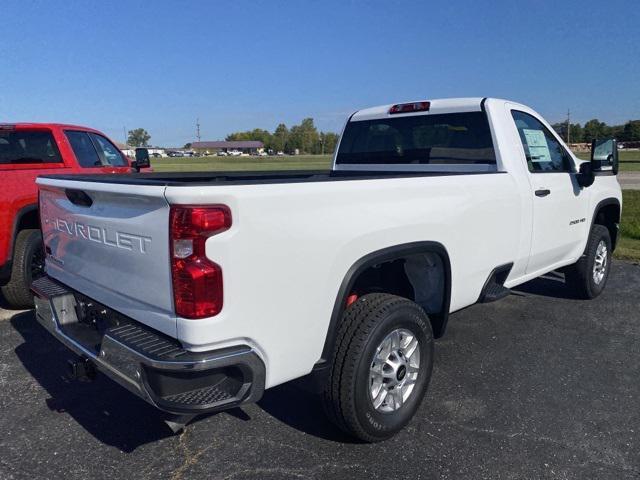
(197, 291)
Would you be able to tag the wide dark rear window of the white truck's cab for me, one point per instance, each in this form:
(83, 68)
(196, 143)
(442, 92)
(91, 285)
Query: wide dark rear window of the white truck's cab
(438, 139)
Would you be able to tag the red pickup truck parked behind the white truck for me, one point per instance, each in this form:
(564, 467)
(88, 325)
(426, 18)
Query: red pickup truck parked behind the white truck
(26, 151)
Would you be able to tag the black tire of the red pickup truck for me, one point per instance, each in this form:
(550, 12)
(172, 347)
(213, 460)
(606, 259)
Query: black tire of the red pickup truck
(28, 261)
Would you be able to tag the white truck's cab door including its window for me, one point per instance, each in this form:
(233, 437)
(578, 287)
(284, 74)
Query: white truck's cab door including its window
(559, 204)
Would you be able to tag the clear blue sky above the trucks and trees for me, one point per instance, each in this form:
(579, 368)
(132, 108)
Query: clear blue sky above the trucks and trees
(238, 65)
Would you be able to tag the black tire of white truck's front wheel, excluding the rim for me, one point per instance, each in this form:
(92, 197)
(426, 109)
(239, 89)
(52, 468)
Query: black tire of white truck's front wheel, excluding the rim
(580, 276)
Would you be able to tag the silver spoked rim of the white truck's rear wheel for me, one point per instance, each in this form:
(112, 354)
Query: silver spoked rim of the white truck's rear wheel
(394, 370)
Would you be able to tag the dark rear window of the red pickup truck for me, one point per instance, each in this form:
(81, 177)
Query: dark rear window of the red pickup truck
(23, 146)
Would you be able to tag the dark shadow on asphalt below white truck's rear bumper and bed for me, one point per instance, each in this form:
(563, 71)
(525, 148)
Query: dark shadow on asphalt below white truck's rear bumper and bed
(116, 417)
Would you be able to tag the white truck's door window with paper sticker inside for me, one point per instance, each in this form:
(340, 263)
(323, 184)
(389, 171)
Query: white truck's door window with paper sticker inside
(543, 152)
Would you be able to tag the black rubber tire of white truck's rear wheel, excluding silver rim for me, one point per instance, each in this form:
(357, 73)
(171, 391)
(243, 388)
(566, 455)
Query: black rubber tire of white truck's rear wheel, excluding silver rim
(365, 324)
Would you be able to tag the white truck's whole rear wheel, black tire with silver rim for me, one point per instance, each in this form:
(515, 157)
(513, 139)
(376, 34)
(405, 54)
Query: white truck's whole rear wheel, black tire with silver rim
(381, 367)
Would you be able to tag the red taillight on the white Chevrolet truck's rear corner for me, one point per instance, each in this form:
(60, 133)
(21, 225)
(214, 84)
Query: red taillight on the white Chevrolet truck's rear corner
(197, 281)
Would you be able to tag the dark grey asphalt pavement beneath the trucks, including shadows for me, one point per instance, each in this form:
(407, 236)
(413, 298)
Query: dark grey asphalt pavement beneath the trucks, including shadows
(537, 385)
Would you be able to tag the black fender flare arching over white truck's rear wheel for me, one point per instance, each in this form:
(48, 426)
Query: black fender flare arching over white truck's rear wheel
(438, 321)
